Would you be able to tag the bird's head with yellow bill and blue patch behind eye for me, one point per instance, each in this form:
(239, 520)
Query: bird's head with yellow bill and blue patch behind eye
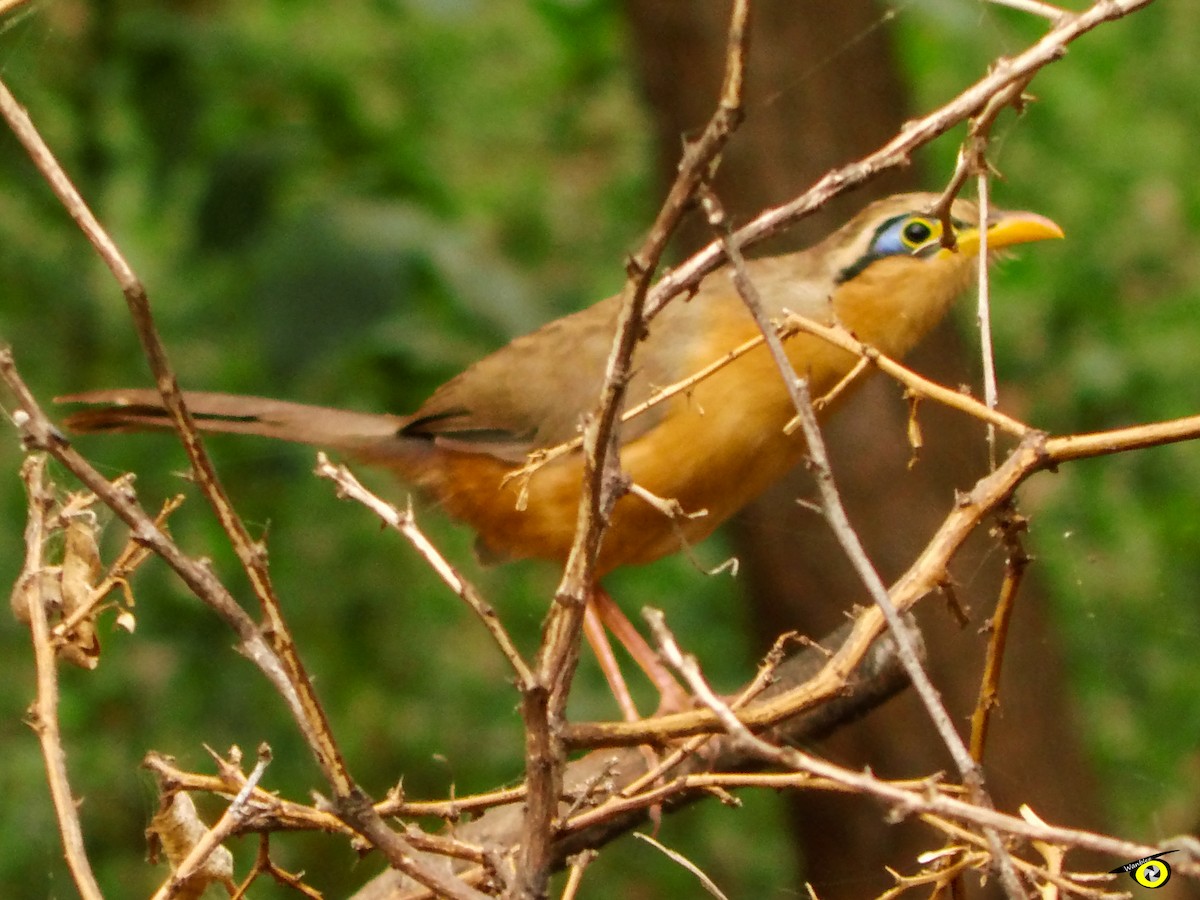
(893, 275)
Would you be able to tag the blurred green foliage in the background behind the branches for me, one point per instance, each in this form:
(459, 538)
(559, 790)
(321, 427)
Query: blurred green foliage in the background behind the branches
(349, 203)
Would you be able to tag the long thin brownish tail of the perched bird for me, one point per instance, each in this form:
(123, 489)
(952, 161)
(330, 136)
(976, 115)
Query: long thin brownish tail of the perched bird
(141, 410)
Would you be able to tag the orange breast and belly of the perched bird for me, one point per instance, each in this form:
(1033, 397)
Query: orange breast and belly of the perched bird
(719, 447)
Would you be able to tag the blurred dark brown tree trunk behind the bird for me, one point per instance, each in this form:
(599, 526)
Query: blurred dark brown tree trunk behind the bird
(824, 89)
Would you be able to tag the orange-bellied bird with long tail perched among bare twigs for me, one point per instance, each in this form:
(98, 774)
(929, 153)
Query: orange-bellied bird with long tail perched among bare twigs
(889, 277)
